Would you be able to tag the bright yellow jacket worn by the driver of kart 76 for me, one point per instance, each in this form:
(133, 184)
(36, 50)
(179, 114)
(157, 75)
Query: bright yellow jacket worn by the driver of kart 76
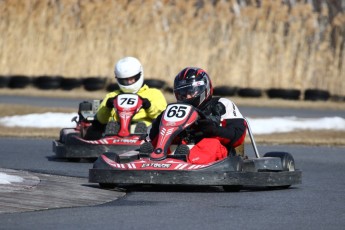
(155, 96)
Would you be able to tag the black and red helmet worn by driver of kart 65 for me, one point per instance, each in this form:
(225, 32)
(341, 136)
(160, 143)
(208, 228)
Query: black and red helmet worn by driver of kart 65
(193, 86)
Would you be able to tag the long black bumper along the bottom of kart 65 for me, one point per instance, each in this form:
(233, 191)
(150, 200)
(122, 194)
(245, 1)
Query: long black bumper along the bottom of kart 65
(210, 178)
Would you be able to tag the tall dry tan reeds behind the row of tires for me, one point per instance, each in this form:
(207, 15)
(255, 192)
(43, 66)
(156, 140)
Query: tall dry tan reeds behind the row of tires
(274, 45)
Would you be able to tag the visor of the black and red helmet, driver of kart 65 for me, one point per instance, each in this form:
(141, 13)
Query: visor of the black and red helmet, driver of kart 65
(184, 92)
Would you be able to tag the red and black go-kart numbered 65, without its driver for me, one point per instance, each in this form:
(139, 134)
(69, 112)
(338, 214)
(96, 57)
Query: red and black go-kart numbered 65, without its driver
(161, 166)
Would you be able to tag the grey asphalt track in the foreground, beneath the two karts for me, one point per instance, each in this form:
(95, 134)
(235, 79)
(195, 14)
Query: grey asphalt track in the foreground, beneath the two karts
(317, 203)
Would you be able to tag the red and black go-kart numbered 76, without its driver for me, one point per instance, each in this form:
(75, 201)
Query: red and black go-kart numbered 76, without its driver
(118, 136)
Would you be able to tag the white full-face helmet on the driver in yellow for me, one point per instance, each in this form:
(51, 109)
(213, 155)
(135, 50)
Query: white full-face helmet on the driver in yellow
(129, 67)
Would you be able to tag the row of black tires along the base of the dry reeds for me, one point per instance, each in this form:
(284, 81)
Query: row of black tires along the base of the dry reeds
(100, 83)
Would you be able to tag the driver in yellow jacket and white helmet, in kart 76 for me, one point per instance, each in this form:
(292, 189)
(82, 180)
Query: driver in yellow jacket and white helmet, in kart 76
(129, 75)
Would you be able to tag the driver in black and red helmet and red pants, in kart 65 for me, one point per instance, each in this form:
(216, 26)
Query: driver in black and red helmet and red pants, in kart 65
(224, 127)
